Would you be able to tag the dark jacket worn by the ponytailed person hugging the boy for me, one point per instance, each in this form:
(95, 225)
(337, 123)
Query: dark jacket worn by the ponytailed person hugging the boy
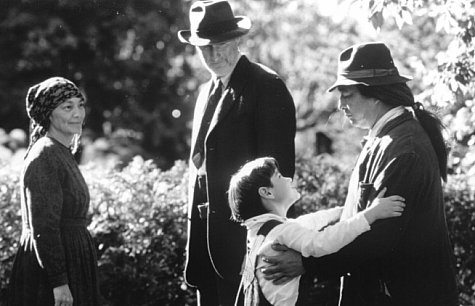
(406, 260)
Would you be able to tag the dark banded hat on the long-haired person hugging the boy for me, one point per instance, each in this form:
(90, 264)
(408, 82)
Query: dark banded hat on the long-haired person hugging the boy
(368, 64)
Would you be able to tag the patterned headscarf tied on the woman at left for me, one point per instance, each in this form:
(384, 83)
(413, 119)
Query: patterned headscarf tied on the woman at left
(43, 98)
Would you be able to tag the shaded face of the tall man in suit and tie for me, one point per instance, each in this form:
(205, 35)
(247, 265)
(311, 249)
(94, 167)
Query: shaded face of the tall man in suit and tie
(219, 59)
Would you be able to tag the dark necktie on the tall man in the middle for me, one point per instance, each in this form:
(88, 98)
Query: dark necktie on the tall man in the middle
(213, 99)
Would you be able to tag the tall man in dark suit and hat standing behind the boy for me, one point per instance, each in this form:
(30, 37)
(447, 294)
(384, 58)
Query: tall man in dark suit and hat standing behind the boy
(243, 112)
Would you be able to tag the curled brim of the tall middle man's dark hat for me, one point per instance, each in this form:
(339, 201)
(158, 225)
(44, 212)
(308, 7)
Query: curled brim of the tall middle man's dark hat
(193, 38)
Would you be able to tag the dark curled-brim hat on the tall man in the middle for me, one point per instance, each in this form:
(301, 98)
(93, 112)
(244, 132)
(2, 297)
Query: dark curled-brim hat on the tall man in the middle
(213, 22)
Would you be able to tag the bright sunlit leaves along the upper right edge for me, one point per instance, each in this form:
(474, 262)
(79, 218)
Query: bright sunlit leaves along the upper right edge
(450, 86)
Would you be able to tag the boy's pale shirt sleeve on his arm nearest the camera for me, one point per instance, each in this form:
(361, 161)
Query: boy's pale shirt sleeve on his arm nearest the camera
(319, 243)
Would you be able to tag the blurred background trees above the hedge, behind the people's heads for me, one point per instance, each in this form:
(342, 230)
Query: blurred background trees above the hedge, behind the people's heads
(141, 81)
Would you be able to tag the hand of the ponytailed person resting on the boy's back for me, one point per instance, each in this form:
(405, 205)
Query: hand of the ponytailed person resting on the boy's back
(283, 267)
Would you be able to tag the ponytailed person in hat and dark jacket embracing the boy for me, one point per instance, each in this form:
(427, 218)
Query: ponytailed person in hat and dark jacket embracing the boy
(404, 261)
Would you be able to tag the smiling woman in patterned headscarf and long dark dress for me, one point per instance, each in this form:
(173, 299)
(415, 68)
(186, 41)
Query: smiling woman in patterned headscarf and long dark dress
(56, 262)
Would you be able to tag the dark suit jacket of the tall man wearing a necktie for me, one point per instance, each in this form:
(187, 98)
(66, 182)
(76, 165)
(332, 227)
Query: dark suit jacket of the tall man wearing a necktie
(254, 118)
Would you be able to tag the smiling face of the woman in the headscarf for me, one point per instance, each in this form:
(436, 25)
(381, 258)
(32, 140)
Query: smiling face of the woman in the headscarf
(67, 118)
